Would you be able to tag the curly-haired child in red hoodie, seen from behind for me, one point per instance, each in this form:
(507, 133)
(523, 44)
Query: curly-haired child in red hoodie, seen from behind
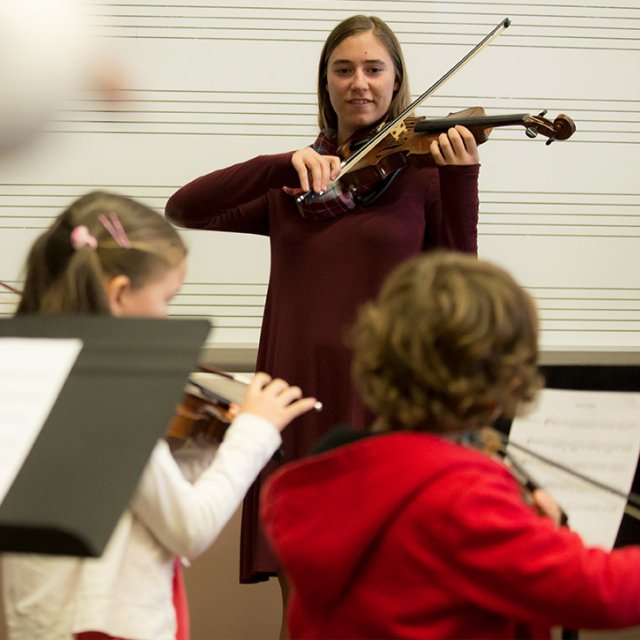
(409, 530)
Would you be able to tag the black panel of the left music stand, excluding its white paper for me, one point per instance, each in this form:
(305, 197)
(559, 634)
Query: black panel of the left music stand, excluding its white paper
(115, 404)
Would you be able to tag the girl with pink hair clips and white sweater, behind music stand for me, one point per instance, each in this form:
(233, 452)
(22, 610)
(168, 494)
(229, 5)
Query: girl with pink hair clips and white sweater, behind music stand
(108, 254)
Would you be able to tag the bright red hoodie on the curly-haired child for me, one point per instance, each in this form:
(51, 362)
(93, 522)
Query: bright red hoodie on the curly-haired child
(408, 535)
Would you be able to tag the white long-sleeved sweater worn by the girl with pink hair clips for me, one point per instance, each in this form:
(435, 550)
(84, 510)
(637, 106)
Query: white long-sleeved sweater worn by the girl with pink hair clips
(127, 592)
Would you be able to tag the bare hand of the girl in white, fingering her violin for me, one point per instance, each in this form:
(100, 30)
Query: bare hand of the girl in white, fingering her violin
(275, 400)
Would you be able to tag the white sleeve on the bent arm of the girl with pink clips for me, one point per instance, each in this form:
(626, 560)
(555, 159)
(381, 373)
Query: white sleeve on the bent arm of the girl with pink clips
(186, 518)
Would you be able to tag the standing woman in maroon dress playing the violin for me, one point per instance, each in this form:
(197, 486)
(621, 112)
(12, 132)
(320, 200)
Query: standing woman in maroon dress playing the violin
(331, 253)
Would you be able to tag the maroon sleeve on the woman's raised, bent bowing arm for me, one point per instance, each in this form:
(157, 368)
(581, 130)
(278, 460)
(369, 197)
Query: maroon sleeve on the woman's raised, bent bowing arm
(232, 199)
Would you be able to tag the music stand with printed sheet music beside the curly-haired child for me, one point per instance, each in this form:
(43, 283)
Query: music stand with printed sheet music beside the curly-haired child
(587, 419)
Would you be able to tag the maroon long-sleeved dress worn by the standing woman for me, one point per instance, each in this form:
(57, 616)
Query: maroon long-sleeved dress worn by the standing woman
(321, 272)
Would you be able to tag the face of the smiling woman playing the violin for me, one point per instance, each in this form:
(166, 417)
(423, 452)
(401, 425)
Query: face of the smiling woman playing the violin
(361, 80)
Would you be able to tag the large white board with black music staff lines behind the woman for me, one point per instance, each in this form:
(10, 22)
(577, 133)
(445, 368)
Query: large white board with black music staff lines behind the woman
(212, 84)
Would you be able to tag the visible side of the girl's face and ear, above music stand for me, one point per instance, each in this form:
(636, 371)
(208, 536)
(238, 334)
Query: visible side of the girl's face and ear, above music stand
(148, 301)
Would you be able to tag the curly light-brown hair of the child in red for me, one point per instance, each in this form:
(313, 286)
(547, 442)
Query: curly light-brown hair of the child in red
(450, 343)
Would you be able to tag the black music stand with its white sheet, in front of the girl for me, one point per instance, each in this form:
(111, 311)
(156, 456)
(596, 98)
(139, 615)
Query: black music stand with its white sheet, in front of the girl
(84, 399)
